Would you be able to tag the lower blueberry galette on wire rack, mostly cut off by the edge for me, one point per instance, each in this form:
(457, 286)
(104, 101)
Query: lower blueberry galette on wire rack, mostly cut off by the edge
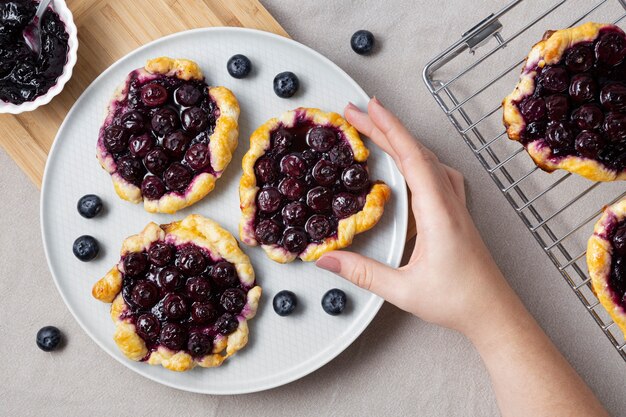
(606, 260)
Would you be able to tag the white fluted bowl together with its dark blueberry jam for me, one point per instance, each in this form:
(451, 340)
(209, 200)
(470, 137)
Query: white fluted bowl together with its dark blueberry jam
(26, 80)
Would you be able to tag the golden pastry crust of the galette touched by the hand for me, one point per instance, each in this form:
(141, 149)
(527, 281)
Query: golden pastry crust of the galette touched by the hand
(347, 228)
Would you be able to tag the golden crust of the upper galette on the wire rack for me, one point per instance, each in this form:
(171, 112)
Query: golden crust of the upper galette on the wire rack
(550, 51)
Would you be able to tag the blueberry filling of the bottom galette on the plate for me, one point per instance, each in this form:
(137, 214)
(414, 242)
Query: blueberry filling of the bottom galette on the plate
(180, 297)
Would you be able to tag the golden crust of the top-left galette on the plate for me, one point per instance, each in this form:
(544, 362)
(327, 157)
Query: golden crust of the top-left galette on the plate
(222, 145)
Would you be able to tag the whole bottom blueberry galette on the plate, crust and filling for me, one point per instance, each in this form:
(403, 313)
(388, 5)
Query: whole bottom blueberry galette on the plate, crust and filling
(181, 294)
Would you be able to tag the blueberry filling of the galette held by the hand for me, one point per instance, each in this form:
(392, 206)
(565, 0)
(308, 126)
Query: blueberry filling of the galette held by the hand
(308, 182)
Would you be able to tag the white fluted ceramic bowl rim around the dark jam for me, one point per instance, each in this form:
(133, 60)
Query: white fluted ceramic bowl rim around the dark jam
(66, 16)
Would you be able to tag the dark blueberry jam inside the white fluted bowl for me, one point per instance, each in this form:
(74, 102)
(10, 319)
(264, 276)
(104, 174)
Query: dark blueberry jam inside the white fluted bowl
(24, 76)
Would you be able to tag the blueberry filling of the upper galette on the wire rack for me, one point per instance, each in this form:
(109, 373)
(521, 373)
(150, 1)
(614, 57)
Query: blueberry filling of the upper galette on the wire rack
(579, 104)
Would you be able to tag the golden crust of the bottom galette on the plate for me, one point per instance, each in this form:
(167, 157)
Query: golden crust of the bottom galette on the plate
(206, 234)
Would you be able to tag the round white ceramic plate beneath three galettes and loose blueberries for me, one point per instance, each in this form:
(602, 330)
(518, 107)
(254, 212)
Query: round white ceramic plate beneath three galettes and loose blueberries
(281, 349)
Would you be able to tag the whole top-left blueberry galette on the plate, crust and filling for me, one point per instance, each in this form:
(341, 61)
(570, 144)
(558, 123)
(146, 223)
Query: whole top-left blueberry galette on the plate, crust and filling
(168, 136)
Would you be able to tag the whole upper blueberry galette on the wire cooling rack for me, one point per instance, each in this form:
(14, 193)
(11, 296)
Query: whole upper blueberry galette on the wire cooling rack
(569, 107)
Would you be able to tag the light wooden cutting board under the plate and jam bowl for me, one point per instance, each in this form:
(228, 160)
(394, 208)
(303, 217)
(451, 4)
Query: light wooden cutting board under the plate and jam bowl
(108, 30)
